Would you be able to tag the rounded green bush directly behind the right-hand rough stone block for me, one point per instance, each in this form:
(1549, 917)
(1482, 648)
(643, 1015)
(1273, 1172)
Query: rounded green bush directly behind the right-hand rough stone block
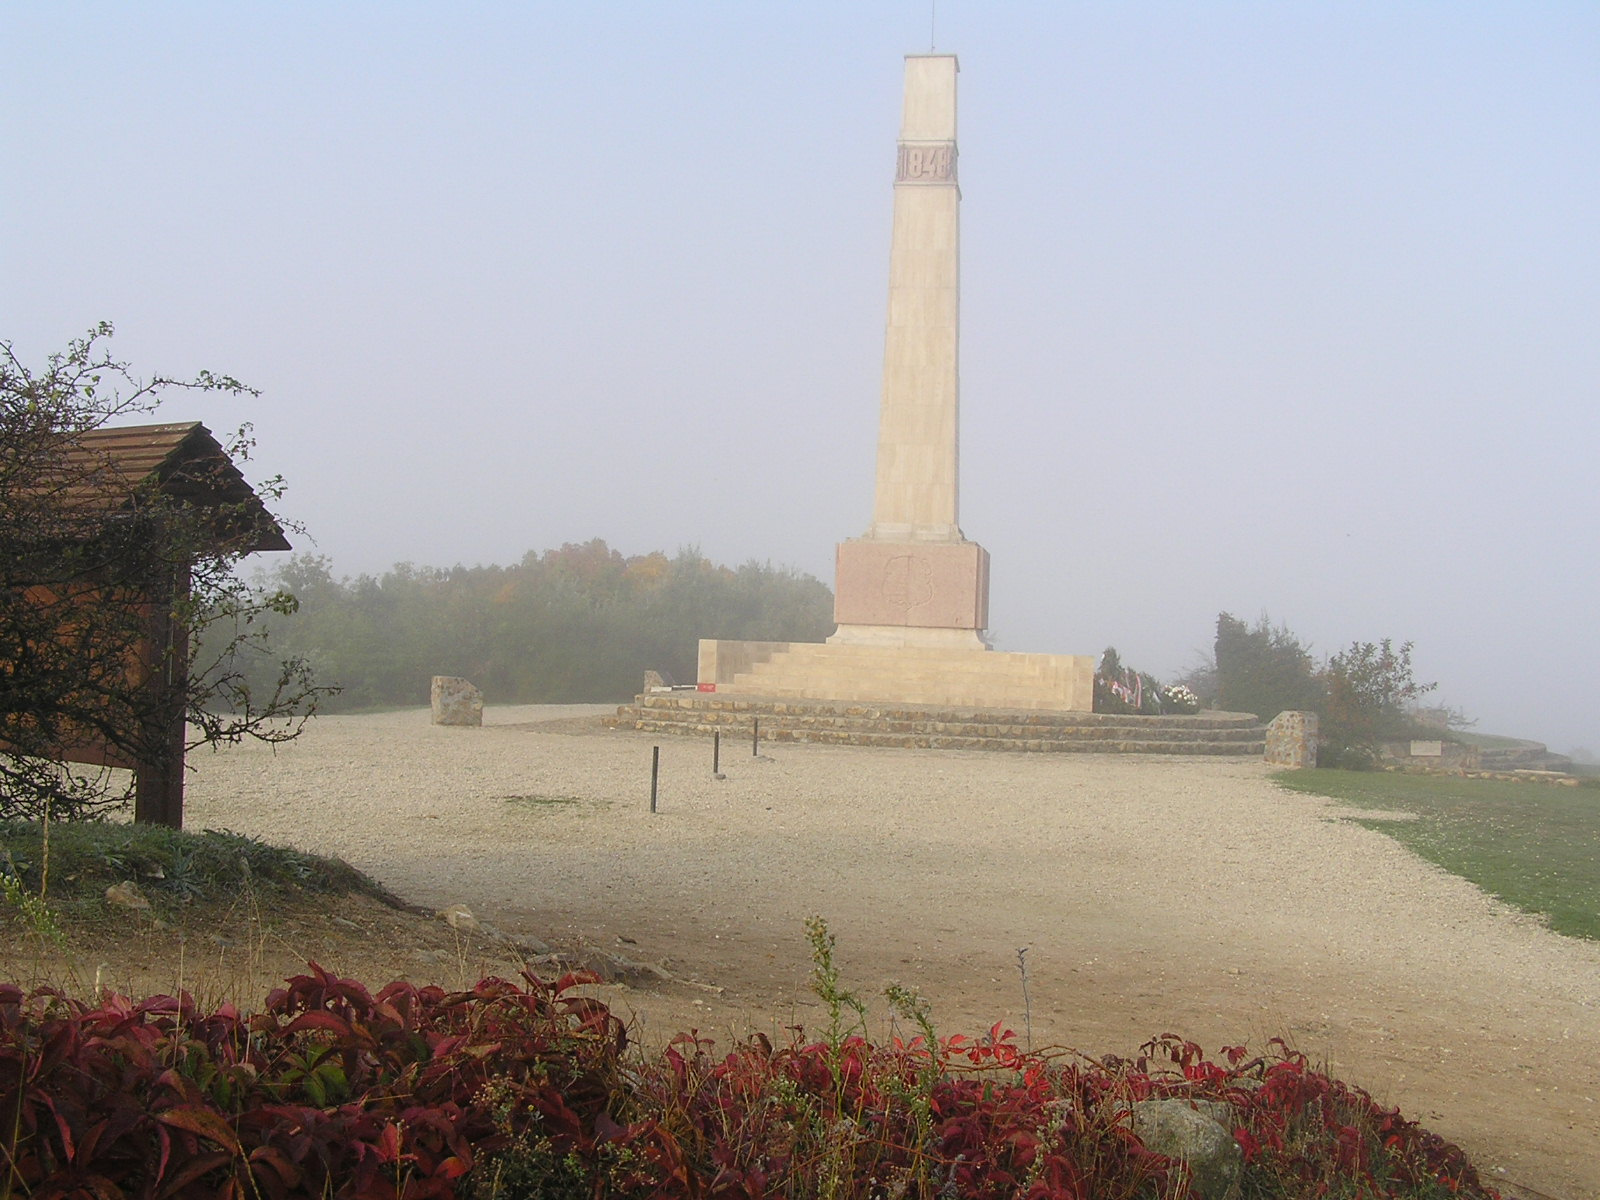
(1370, 692)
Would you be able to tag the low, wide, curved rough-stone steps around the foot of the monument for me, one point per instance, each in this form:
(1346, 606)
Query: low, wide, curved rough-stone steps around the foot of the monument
(940, 727)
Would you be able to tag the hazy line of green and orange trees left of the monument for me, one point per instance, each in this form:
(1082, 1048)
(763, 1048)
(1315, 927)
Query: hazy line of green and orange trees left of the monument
(575, 625)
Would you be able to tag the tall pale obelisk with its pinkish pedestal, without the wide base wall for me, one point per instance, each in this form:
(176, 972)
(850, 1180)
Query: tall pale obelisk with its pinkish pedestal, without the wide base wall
(914, 580)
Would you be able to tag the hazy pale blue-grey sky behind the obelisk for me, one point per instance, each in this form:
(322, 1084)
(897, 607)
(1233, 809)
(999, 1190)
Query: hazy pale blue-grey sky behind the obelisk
(1286, 308)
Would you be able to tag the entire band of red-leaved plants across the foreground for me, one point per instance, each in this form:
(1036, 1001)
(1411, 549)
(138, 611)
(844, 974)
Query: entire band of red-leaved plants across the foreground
(530, 1090)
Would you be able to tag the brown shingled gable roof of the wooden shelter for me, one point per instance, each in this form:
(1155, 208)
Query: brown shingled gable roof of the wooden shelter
(106, 468)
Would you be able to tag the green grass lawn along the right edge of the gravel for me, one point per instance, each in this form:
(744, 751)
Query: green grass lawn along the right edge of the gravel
(1534, 846)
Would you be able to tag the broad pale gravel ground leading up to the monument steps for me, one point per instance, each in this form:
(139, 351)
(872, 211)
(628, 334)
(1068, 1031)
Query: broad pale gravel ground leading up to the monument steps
(1151, 895)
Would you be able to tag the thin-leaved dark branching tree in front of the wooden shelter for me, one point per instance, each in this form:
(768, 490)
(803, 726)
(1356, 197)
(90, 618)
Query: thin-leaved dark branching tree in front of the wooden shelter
(124, 625)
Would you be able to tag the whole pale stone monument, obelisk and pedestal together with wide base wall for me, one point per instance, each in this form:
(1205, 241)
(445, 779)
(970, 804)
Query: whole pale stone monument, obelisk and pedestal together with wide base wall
(911, 594)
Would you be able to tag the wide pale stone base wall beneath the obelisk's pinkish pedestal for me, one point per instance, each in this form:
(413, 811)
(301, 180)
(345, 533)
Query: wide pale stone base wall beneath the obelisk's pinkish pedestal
(900, 674)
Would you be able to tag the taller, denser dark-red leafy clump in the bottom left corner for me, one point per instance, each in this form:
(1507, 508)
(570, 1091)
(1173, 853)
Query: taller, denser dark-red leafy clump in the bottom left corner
(327, 1092)
